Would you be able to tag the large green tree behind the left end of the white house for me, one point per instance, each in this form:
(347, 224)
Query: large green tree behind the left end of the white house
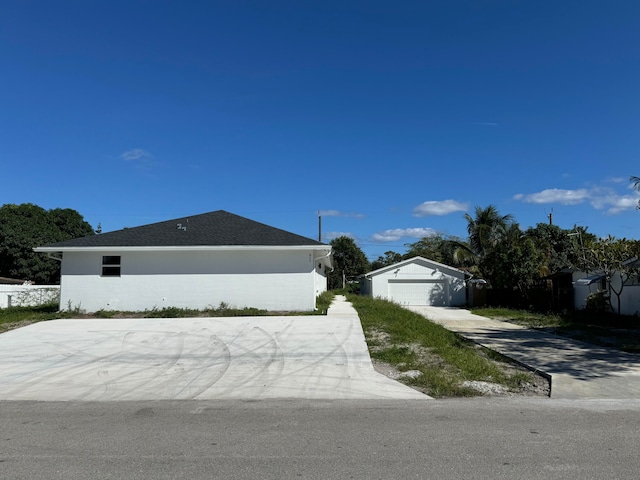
(25, 226)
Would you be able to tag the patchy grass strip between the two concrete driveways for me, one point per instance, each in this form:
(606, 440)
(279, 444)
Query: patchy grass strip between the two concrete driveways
(444, 359)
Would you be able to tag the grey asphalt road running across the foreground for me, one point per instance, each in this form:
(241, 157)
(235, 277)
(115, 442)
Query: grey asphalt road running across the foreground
(321, 439)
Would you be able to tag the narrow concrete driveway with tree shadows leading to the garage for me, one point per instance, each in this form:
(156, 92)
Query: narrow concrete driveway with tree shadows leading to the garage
(577, 369)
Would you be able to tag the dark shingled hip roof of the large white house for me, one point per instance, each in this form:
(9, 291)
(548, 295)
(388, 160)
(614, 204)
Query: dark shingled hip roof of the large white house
(217, 228)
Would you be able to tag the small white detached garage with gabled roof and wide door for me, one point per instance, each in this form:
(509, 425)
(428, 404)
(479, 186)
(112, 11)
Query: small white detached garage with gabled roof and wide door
(417, 281)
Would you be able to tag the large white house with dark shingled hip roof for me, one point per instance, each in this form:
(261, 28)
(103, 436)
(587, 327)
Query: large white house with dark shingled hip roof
(192, 262)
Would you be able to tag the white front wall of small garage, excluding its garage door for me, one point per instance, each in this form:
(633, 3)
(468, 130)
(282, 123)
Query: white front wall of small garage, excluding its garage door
(454, 293)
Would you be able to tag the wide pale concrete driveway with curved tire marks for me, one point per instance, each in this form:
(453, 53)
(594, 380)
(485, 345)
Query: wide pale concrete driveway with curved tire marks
(313, 357)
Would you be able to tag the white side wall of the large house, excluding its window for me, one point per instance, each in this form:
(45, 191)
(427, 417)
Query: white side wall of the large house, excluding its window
(271, 280)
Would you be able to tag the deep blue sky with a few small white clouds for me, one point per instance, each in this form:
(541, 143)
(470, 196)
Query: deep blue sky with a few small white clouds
(391, 118)
